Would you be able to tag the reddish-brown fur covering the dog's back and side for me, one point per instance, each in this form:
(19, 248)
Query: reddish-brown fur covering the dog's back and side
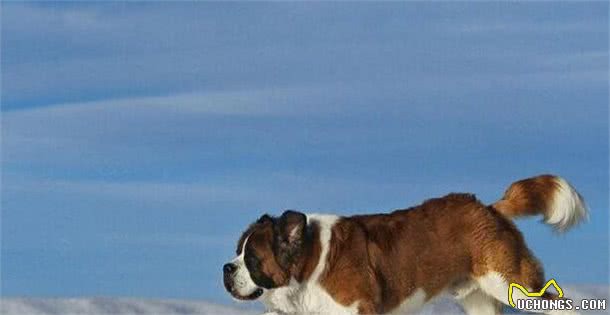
(381, 259)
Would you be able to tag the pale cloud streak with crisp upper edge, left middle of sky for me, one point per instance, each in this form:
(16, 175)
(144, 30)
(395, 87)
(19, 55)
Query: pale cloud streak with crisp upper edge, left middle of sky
(124, 131)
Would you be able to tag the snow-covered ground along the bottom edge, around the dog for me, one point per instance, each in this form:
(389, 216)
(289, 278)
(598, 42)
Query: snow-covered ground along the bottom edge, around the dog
(125, 306)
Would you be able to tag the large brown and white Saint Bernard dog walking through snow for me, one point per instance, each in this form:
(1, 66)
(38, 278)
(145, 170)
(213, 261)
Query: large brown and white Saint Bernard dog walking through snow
(396, 262)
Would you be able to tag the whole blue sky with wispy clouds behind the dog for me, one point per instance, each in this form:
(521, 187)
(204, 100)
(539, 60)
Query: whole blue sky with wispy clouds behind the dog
(139, 139)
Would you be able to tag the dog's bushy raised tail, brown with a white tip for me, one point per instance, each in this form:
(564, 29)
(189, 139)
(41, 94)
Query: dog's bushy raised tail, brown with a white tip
(552, 196)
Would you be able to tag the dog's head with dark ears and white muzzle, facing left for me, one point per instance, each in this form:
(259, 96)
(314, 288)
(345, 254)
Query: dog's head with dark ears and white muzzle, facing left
(267, 253)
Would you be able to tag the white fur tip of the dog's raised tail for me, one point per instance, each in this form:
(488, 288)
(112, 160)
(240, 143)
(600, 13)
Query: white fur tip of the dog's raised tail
(568, 208)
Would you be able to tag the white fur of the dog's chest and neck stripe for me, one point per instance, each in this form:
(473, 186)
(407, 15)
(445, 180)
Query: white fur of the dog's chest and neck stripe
(309, 297)
